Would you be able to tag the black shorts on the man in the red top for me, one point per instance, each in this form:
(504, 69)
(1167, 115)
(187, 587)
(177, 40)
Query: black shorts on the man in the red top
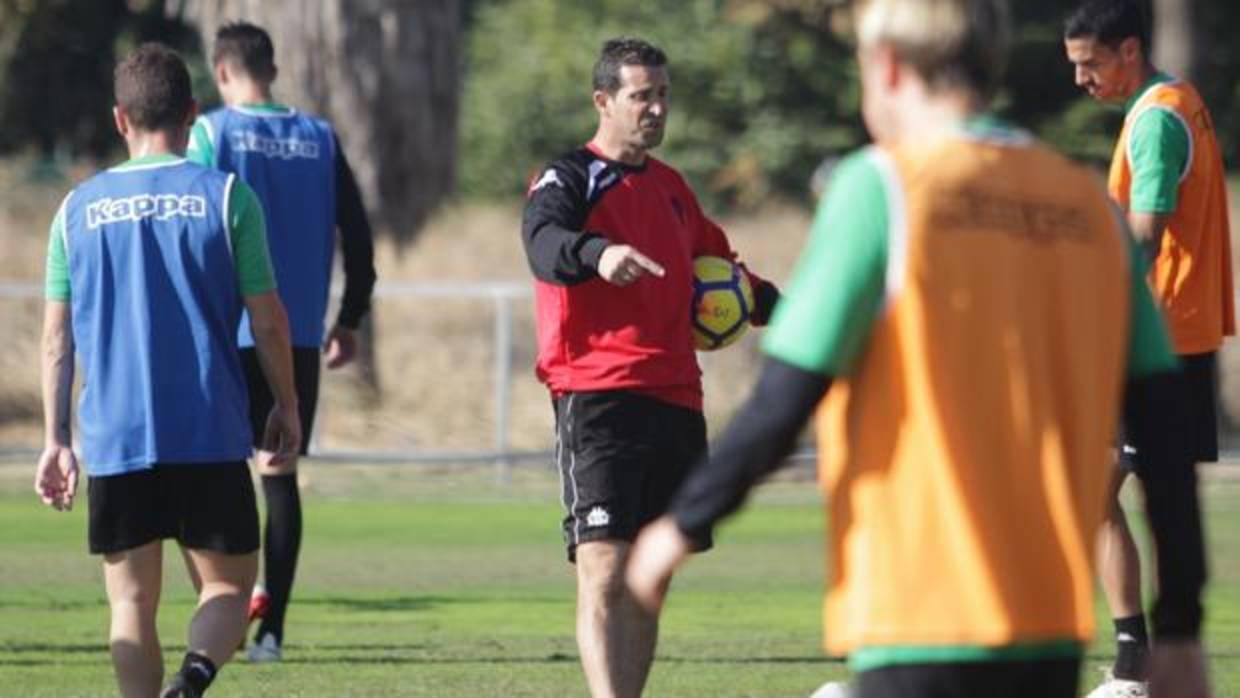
(622, 457)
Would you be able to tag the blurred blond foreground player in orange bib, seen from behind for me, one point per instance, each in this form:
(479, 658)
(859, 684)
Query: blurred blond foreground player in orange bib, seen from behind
(968, 313)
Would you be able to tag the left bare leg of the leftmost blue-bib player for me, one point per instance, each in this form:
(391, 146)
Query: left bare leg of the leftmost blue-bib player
(133, 580)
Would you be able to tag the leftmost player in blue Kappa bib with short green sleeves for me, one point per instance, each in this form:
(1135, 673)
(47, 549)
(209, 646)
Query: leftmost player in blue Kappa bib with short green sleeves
(151, 266)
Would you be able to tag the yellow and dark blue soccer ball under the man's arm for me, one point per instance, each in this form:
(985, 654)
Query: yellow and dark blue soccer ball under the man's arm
(722, 303)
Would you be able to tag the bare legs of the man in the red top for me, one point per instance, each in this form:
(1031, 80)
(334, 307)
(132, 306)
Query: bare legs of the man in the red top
(616, 639)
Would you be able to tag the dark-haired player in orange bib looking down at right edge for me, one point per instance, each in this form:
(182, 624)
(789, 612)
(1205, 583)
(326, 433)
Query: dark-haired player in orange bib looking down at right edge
(1167, 175)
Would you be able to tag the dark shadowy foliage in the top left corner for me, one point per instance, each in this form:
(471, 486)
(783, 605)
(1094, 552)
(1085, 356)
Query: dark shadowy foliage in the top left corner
(58, 59)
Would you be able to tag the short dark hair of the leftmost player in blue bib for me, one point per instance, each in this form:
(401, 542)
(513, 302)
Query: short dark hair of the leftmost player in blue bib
(153, 87)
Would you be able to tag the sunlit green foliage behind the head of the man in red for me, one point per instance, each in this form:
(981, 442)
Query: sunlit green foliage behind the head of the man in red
(759, 91)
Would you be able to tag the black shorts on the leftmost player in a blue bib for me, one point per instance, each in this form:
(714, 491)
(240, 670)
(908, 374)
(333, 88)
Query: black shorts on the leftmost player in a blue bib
(205, 506)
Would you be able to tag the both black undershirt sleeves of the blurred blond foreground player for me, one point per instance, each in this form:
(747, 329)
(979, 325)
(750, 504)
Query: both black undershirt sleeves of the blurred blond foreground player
(766, 428)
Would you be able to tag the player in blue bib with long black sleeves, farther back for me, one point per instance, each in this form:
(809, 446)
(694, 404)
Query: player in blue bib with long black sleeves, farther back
(308, 192)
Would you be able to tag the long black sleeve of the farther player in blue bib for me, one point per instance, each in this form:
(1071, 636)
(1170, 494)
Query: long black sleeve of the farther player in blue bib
(356, 246)
